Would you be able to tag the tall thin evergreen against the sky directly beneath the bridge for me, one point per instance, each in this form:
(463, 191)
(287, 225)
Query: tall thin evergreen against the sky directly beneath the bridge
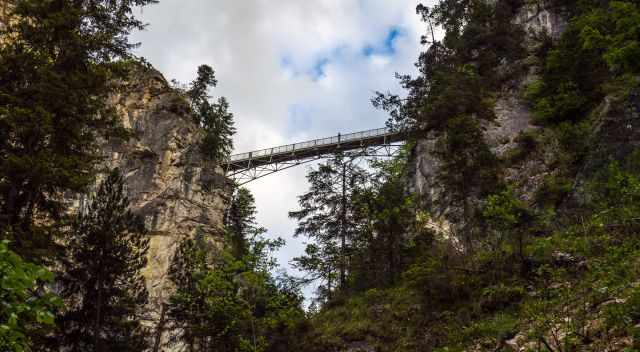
(326, 216)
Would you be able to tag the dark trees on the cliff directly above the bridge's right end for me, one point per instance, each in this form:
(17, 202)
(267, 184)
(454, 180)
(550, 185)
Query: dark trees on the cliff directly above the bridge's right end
(458, 72)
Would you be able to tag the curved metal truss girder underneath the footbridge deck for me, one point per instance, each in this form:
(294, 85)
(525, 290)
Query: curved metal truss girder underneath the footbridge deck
(251, 172)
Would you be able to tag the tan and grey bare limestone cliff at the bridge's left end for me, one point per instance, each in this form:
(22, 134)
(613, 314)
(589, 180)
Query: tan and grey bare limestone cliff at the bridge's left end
(168, 183)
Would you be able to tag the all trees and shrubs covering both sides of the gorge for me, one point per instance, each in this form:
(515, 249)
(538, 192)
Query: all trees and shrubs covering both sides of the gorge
(500, 260)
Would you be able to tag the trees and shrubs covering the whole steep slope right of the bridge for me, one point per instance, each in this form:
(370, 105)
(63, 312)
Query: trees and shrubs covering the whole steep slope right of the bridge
(545, 268)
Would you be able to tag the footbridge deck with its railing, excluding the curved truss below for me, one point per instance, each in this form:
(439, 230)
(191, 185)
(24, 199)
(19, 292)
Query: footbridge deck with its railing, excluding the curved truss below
(312, 148)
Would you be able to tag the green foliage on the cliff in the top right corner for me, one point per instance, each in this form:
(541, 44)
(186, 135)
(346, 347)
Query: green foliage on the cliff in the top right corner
(599, 48)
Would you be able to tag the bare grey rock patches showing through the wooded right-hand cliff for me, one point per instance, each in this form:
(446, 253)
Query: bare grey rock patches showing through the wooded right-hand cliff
(512, 117)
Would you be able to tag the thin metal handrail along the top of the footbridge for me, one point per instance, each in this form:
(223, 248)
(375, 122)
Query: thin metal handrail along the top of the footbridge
(340, 138)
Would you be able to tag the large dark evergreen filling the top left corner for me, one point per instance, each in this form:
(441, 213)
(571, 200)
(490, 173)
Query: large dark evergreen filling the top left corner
(58, 64)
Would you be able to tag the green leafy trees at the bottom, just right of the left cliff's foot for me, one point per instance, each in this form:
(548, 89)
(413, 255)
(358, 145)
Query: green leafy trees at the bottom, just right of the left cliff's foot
(227, 298)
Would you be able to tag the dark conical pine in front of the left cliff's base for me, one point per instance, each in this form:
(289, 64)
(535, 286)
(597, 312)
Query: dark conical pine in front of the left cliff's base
(103, 282)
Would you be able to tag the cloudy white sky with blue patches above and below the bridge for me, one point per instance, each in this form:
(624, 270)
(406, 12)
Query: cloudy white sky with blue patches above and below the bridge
(292, 70)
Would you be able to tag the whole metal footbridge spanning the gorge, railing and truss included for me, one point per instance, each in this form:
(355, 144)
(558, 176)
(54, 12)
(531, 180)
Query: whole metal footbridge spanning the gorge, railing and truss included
(246, 167)
